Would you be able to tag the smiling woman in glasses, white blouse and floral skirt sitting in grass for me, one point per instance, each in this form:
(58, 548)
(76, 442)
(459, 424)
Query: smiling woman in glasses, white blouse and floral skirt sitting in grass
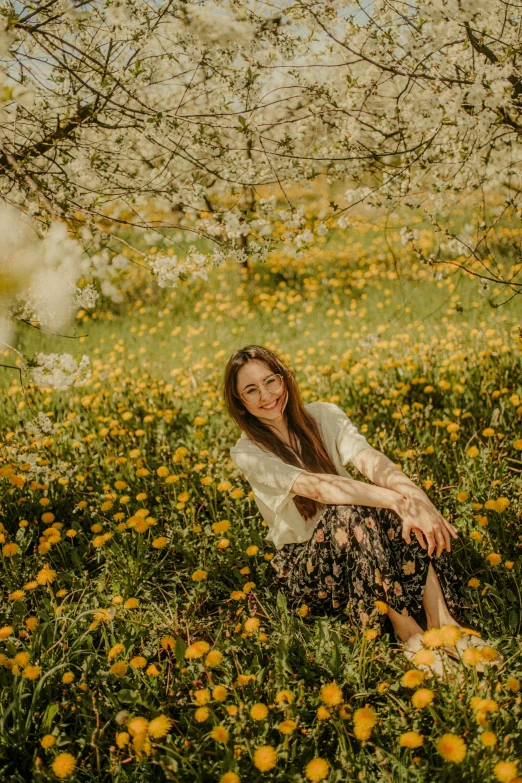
(342, 544)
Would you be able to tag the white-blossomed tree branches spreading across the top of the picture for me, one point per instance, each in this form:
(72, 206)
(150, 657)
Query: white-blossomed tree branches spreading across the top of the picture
(165, 115)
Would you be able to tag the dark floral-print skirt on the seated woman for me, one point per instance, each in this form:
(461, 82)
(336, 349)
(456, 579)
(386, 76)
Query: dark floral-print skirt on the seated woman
(357, 556)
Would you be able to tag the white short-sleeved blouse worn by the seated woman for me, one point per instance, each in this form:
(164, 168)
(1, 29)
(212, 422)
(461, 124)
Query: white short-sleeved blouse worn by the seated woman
(271, 478)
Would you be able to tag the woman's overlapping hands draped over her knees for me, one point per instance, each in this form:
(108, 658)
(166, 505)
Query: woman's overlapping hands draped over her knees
(420, 515)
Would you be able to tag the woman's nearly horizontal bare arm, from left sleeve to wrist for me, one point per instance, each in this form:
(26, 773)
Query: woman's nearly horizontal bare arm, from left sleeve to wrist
(339, 490)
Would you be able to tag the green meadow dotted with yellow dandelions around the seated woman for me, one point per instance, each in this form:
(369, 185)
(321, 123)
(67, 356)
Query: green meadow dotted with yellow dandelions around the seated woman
(139, 638)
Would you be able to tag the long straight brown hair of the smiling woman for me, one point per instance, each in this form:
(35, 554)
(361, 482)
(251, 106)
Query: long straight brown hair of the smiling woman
(314, 456)
